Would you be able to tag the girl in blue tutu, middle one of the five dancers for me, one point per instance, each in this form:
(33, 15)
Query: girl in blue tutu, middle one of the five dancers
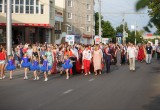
(35, 67)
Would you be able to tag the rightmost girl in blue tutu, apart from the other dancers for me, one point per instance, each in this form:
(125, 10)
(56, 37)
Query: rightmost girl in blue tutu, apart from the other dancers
(67, 65)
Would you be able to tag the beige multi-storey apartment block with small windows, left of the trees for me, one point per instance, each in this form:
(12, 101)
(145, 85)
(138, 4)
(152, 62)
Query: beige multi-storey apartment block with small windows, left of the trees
(79, 19)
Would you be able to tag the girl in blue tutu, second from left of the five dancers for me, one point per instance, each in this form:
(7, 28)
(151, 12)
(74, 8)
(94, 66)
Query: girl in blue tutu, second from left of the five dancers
(25, 64)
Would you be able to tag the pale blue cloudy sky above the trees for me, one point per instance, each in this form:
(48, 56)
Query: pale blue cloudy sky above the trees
(123, 6)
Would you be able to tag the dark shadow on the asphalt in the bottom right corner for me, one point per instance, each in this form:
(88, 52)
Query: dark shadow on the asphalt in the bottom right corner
(154, 104)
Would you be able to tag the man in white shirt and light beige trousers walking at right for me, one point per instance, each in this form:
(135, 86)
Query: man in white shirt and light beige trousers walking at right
(131, 55)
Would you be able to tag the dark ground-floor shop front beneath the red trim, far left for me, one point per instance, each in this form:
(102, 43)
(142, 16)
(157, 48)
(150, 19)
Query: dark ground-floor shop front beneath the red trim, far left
(26, 34)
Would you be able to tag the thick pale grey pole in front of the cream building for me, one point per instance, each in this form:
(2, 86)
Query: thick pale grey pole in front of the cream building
(9, 28)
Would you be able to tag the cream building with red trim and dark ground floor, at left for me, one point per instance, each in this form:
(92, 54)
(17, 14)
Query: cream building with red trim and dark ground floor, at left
(32, 21)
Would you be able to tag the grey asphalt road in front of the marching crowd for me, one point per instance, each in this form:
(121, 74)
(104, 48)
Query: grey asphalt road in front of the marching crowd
(120, 90)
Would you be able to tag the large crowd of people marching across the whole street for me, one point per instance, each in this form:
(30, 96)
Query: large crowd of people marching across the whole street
(75, 59)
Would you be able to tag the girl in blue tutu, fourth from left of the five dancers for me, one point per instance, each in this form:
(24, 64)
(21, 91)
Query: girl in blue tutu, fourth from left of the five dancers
(45, 67)
